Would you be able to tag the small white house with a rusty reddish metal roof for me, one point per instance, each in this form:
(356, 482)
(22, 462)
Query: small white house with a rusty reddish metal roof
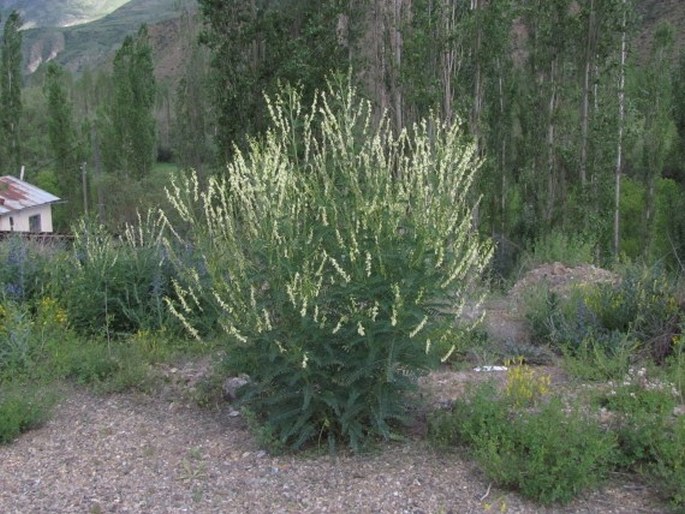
(24, 207)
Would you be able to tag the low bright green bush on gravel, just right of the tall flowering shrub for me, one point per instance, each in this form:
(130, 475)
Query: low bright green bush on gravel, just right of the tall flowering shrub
(547, 454)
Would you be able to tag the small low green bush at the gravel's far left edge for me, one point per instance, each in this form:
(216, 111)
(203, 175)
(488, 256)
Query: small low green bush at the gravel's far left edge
(22, 407)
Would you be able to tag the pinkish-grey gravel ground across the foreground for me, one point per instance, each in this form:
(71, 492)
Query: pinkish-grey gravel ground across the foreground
(141, 454)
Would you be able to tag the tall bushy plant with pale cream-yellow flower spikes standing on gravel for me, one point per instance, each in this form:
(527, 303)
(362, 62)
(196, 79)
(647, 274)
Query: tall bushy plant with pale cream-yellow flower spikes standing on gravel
(338, 256)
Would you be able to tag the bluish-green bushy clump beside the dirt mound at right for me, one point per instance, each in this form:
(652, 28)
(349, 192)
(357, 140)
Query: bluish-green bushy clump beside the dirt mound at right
(610, 323)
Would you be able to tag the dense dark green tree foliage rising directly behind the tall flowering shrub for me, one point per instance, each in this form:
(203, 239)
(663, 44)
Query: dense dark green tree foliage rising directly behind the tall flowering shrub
(302, 42)
